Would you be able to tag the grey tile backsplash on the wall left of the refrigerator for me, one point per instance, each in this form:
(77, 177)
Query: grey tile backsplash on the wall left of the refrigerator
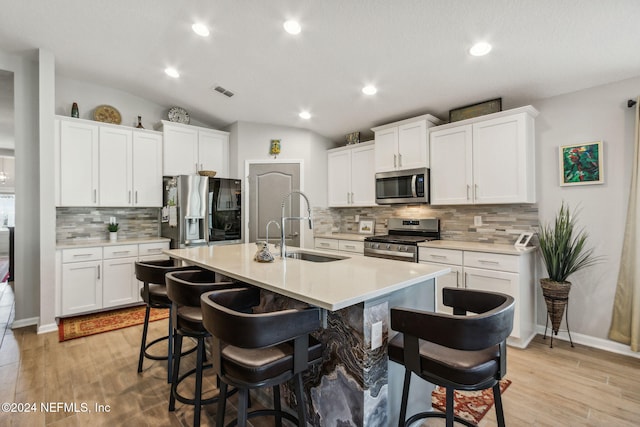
(90, 224)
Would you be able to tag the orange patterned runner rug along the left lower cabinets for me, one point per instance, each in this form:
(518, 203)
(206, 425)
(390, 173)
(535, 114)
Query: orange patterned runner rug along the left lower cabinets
(90, 324)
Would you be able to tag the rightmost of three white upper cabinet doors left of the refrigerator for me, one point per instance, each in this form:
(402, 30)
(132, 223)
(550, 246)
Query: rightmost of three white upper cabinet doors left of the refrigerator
(147, 169)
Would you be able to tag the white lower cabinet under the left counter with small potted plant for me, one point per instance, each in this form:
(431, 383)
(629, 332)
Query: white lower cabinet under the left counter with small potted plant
(102, 277)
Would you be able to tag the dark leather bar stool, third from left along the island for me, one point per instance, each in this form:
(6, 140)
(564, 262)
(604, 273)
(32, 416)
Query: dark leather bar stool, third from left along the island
(252, 351)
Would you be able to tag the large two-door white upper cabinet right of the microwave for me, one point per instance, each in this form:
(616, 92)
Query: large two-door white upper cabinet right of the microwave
(484, 160)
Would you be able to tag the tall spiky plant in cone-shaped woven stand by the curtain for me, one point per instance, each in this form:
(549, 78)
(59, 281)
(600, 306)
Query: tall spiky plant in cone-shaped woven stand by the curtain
(564, 251)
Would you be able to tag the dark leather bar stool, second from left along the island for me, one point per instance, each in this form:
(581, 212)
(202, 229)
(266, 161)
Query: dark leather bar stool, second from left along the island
(184, 289)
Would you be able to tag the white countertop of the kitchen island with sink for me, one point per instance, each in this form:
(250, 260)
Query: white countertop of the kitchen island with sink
(331, 285)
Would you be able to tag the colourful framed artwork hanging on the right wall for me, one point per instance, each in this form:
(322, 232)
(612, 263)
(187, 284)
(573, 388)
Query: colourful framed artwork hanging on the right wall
(581, 164)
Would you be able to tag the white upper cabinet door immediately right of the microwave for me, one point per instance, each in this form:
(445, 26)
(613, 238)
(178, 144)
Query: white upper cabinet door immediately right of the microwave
(451, 166)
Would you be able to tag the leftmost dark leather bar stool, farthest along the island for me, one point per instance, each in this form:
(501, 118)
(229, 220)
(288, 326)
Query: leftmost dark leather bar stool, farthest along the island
(154, 294)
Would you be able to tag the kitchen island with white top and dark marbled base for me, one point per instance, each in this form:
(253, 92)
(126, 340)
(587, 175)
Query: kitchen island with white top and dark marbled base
(353, 386)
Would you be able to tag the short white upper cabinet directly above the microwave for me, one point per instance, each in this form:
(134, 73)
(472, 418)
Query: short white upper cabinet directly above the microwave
(403, 144)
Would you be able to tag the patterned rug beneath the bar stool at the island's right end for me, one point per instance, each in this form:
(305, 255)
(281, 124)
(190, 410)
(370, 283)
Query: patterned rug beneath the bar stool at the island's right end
(469, 405)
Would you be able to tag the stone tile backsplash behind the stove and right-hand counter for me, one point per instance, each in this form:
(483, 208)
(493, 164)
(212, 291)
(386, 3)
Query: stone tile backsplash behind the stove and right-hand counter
(500, 223)
